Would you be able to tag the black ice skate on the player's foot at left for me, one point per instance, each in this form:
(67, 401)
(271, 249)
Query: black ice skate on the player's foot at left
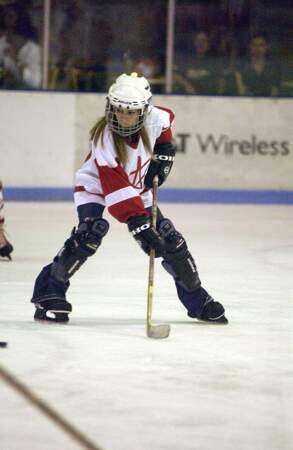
(53, 311)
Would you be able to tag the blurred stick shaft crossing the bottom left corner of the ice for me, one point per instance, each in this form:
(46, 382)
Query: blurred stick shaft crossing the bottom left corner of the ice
(47, 410)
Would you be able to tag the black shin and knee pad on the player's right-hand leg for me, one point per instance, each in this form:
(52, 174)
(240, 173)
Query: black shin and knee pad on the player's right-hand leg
(177, 259)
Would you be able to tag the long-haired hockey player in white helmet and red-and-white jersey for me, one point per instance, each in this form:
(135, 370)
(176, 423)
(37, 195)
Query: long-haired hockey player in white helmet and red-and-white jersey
(130, 145)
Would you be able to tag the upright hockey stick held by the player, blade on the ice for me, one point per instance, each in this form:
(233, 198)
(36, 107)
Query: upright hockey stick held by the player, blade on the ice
(154, 331)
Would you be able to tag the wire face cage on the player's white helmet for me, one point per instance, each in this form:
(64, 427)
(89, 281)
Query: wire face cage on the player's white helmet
(114, 125)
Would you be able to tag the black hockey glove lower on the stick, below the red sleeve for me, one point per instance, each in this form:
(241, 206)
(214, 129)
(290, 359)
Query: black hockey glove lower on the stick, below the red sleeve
(146, 235)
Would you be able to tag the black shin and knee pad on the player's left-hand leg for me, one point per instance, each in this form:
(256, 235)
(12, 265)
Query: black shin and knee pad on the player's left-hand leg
(83, 242)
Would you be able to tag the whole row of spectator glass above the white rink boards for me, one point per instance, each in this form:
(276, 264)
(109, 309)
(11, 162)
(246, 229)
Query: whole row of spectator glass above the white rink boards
(226, 47)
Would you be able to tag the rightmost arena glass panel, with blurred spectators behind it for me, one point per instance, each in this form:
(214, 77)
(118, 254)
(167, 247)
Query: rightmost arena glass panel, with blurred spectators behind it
(233, 48)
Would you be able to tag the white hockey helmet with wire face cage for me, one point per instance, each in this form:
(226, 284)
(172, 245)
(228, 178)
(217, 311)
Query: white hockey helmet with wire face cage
(129, 92)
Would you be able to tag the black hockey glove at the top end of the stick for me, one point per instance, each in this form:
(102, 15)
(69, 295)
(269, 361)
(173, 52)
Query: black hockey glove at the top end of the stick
(164, 155)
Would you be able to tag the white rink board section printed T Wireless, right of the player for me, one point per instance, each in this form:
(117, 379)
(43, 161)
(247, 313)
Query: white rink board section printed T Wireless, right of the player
(235, 143)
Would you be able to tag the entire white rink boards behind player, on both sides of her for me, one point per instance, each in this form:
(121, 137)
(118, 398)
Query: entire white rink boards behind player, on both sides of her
(228, 143)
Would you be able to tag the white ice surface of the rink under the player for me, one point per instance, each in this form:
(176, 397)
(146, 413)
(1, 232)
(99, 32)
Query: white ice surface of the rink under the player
(206, 387)
